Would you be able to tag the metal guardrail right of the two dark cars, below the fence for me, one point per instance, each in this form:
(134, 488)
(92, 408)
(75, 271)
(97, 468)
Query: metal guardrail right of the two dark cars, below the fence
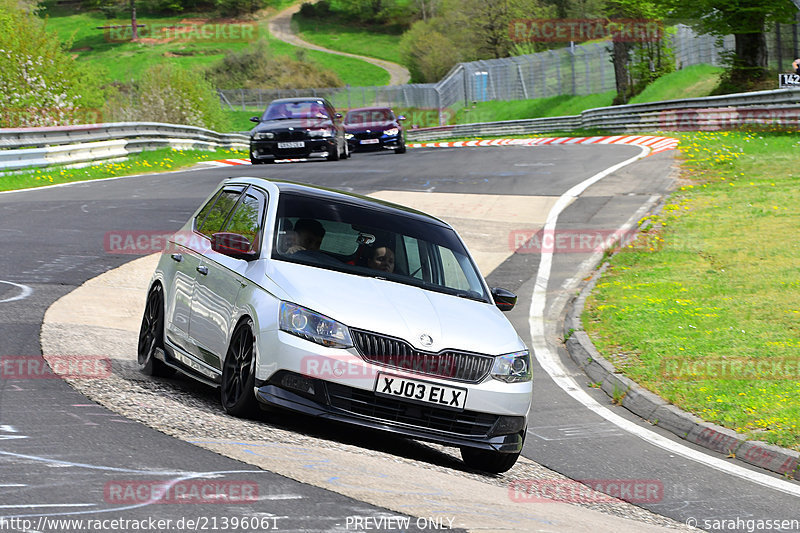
(780, 108)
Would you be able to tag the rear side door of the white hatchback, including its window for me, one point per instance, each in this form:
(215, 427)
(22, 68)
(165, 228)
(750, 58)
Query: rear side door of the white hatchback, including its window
(186, 251)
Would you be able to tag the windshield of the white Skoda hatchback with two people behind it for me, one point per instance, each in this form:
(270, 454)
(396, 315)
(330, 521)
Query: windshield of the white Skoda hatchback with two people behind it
(373, 242)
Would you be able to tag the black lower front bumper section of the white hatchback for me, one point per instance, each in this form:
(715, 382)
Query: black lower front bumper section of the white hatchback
(340, 403)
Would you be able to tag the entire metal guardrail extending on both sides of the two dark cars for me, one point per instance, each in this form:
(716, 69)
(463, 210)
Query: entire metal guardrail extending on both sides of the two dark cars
(37, 147)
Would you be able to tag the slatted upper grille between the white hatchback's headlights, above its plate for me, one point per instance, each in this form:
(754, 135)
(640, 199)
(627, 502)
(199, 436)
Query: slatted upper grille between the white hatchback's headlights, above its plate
(447, 364)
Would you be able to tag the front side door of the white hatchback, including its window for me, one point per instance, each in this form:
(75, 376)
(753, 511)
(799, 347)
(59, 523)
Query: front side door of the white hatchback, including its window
(220, 278)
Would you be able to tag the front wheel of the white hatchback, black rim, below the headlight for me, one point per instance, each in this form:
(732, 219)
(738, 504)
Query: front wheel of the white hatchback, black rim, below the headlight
(238, 373)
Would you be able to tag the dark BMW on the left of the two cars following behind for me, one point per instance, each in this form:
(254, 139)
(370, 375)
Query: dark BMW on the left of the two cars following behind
(294, 128)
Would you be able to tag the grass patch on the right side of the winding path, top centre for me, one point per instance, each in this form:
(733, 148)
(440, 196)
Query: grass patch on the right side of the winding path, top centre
(351, 37)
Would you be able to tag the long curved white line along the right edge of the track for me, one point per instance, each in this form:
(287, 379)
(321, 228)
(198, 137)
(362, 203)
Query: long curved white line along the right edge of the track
(550, 362)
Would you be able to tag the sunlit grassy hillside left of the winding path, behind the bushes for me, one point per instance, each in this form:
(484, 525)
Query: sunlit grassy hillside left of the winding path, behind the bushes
(124, 61)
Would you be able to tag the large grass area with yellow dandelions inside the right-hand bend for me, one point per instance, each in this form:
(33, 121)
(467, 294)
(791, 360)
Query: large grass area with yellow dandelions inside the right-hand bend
(715, 281)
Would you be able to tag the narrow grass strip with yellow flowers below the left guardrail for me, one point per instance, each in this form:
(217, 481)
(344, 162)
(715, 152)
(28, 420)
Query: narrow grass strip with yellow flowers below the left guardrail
(162, 160)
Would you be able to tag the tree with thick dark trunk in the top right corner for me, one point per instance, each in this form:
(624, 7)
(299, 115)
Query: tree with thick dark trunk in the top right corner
(746, 20)
